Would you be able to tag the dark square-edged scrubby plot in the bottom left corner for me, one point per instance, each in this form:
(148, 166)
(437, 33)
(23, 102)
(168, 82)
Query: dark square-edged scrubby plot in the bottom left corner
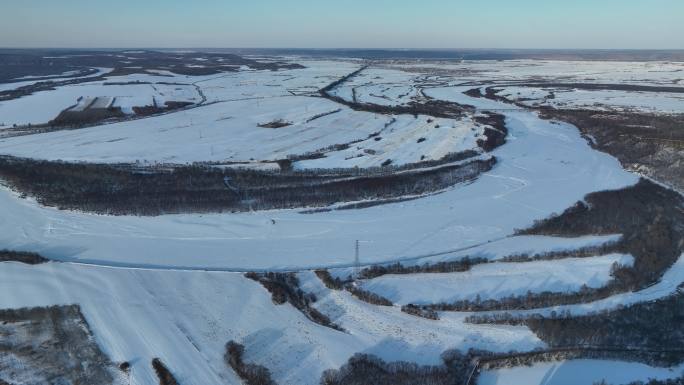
(40, 344)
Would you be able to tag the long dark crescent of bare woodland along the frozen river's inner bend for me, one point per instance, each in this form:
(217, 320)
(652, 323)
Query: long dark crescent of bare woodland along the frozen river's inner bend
(126, 189)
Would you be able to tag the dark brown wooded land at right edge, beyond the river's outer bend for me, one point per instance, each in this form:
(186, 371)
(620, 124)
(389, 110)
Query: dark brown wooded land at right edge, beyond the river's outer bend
(652, 144)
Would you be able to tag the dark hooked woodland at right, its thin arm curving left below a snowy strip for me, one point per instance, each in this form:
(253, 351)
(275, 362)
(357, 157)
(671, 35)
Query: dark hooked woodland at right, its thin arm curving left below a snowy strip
(649, 216)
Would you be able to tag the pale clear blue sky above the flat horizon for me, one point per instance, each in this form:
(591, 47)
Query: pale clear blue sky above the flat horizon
(343, 23)
